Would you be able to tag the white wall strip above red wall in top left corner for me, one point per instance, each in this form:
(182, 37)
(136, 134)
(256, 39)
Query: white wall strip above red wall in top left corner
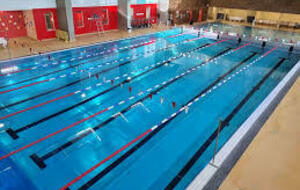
(10, 5)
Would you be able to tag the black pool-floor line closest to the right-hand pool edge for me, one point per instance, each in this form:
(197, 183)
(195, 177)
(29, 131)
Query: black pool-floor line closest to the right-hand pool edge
(225, 123)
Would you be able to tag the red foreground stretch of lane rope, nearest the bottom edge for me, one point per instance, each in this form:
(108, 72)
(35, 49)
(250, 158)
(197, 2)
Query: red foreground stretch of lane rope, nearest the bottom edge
(105, 160)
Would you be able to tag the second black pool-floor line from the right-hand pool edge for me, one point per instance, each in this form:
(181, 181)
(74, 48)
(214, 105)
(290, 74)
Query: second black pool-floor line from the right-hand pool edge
(157, 129)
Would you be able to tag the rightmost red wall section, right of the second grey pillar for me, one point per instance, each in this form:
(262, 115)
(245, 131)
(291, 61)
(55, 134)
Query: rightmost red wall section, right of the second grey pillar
(139, 11)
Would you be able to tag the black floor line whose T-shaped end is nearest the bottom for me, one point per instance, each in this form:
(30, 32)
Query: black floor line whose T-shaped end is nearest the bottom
(39, 160)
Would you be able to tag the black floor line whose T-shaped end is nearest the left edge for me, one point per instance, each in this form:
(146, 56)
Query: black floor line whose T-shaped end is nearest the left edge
(13, 133)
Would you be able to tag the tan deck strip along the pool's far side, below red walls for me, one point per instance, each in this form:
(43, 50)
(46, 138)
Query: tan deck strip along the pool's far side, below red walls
(16, 50)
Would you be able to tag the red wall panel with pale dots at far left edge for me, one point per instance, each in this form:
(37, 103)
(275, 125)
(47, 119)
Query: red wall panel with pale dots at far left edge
(12, 24)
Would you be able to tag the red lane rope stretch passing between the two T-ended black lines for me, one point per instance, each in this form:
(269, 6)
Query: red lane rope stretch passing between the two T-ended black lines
(52, 134)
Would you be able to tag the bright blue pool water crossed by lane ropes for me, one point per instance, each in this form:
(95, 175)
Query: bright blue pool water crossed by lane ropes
(129, 114)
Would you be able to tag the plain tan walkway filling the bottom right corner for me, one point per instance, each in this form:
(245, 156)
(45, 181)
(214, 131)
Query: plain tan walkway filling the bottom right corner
(272, 159)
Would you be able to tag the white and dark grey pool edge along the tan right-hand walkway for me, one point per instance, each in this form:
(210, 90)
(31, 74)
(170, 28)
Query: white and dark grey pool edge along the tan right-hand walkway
(211, 177)
